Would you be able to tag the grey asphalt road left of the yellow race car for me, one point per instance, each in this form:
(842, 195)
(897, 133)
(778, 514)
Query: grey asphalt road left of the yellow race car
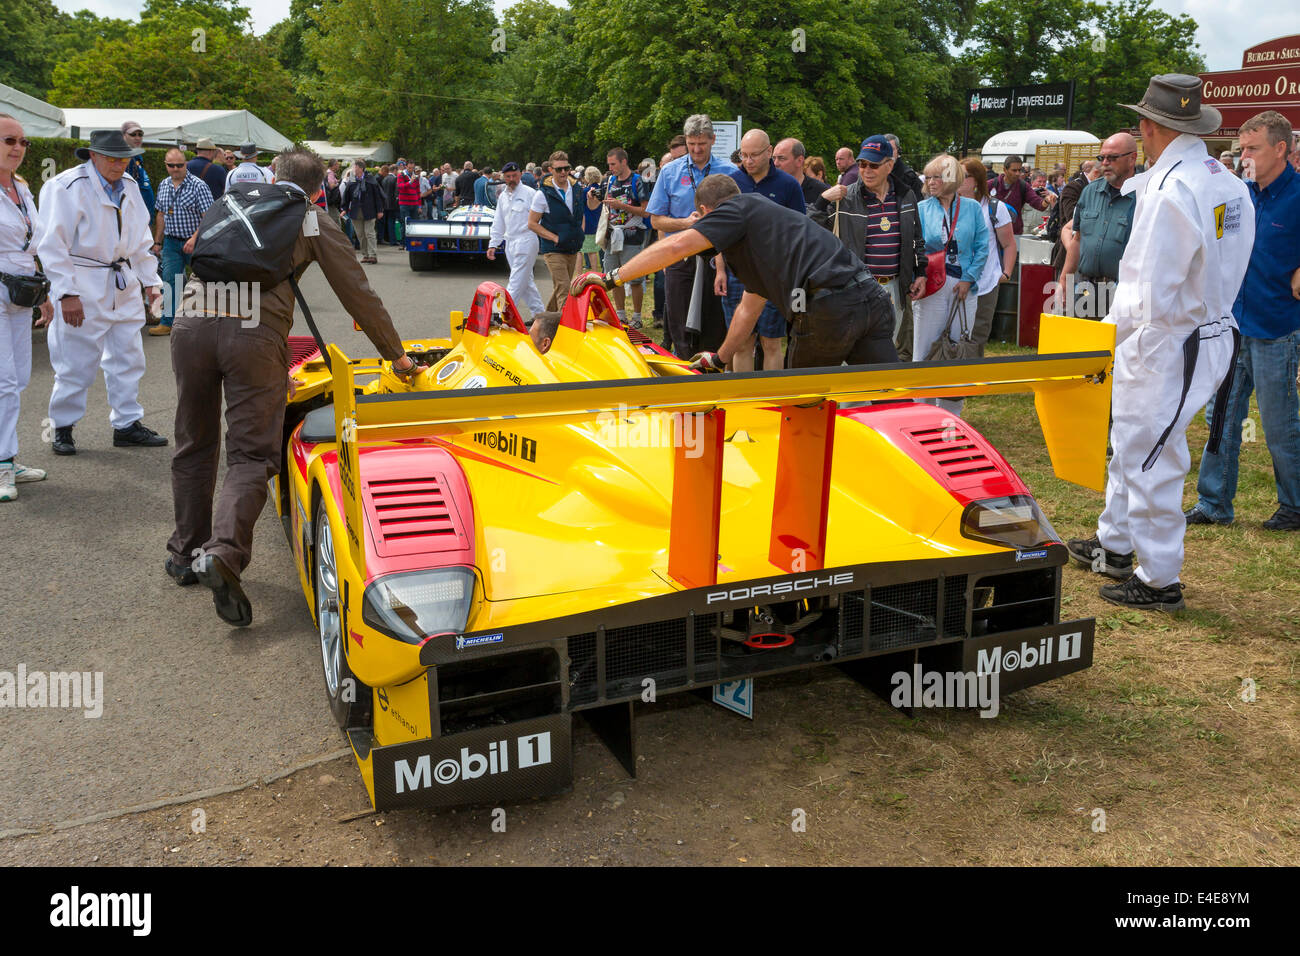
(189, 704)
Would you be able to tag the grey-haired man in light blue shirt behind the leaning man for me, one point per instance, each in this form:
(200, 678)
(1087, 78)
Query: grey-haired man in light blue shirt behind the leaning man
(688, 287)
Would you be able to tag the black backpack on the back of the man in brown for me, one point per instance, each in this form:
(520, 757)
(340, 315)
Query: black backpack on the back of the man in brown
(249, 235)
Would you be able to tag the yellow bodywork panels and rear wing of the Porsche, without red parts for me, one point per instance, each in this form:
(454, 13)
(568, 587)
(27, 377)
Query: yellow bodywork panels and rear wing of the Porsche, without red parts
(580, 520)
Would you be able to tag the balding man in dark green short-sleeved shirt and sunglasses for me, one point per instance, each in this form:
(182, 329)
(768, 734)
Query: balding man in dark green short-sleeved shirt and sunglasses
(1099, 231)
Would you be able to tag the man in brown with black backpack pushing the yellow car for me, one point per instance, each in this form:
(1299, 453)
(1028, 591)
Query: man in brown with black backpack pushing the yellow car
(222, 347)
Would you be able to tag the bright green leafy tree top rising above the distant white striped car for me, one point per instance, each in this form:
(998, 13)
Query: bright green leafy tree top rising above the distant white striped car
(410, 73)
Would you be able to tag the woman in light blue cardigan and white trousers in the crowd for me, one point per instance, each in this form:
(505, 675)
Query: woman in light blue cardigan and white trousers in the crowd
(956, 224)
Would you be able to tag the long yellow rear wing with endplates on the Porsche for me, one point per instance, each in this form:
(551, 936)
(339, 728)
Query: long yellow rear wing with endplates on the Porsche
(1071, 380)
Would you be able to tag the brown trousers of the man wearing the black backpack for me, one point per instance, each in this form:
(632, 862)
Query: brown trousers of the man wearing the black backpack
(211, 356)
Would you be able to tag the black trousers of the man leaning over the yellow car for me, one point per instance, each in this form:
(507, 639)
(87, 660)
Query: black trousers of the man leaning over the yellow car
(853, 326)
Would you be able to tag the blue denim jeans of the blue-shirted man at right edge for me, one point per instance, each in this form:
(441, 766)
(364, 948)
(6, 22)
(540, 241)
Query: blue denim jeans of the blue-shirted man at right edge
(1268, 367)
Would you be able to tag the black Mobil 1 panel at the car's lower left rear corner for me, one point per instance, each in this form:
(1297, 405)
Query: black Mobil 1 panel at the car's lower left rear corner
(526, 759)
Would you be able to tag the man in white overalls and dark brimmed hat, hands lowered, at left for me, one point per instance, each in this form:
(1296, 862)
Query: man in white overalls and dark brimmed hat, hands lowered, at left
(96, 249)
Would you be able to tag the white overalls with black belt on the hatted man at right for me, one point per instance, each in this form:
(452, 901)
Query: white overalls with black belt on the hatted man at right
(1188, 253)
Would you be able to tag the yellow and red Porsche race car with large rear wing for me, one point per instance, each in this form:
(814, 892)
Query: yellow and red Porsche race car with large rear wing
(517, 538)
